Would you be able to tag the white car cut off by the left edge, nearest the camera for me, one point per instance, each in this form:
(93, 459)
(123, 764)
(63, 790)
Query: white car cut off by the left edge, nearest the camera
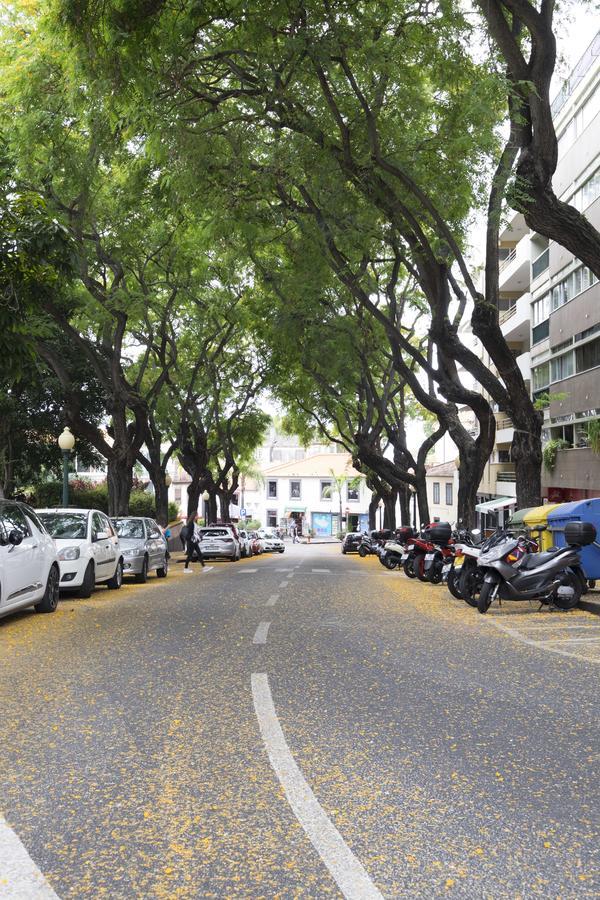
(29, 571)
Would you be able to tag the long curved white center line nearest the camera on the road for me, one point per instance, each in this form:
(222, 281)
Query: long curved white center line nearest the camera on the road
(348, 872)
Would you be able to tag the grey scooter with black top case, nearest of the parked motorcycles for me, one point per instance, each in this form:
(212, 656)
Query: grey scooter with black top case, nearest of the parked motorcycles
(554, 577)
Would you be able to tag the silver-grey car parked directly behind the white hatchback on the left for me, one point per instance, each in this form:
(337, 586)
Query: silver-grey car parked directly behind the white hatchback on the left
(143, 546)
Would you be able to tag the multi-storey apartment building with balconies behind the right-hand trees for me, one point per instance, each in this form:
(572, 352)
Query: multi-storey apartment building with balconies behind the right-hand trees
(550, 306)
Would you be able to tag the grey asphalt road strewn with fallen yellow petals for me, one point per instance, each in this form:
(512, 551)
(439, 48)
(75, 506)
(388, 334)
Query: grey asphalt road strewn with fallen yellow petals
(304, 725)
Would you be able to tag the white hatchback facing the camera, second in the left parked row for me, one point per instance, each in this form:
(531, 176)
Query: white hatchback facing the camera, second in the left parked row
(88, 548)
